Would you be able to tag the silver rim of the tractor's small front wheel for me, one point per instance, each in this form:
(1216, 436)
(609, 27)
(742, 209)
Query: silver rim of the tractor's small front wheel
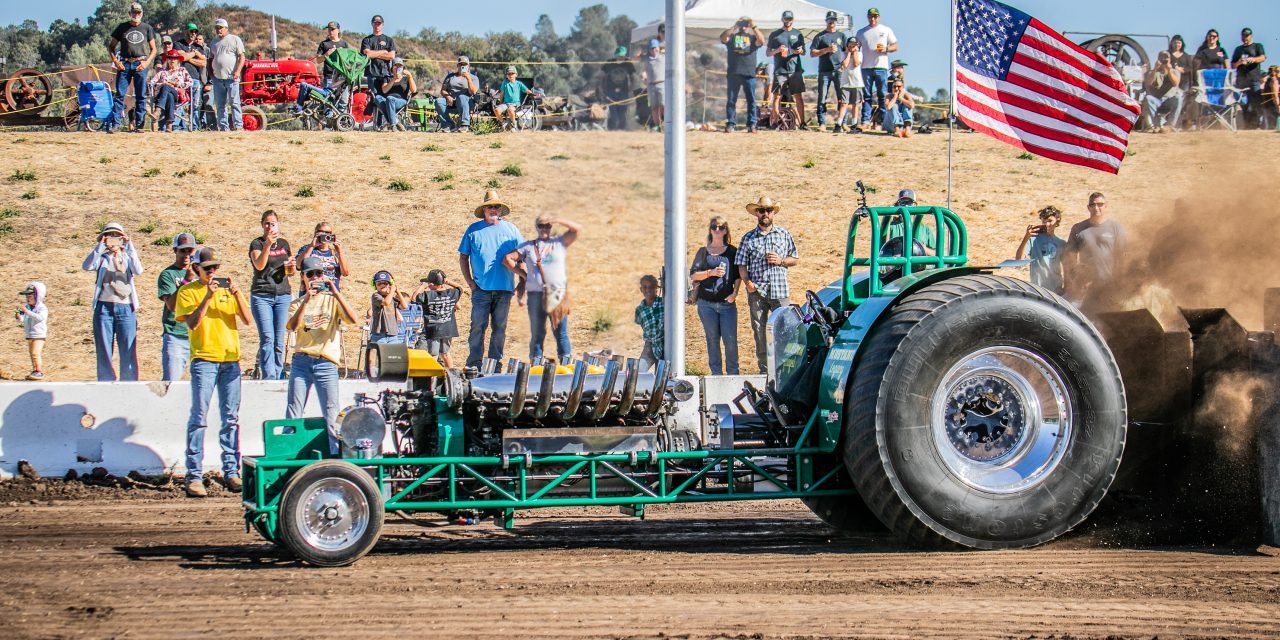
(333, 515)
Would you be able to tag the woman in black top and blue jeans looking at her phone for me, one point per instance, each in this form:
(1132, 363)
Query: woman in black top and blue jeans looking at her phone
(269, 295)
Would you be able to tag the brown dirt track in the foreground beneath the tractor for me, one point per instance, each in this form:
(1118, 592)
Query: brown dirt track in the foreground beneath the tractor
(164, 569)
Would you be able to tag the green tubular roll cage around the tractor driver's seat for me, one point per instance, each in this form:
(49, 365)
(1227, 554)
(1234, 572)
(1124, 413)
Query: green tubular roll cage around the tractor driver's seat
(953, 249)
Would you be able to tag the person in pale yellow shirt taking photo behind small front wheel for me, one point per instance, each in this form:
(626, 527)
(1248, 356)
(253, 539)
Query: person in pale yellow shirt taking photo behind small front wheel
(316, 319)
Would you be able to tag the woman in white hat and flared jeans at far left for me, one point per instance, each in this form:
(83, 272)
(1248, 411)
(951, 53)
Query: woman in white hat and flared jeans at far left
(116, 303)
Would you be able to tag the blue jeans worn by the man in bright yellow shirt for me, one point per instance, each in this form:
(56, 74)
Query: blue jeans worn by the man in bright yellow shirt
(205, 377)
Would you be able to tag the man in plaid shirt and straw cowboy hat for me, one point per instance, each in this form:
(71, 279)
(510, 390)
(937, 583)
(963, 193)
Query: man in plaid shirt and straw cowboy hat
(764, 259)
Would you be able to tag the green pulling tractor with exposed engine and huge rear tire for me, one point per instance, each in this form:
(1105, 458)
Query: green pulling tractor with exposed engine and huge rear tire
(958, 408)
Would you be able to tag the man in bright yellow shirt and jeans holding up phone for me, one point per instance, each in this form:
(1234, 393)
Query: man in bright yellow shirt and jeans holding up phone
(211, 308)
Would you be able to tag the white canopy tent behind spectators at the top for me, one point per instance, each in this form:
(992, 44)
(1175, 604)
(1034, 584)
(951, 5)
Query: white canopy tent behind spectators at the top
(707, 20)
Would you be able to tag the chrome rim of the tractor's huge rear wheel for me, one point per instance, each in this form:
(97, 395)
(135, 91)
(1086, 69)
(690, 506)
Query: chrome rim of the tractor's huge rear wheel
(1002, 420)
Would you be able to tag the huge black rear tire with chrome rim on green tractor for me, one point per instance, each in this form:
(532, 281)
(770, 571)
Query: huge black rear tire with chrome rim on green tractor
(985, 414)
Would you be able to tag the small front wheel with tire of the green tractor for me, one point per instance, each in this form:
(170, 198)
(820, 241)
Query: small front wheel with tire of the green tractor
(331, 514)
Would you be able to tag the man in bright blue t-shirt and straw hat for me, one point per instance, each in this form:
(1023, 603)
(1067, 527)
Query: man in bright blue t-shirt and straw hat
(482, 259)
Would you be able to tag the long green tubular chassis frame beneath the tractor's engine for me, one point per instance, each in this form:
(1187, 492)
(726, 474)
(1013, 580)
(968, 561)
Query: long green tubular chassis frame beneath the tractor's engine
(648, 474)
